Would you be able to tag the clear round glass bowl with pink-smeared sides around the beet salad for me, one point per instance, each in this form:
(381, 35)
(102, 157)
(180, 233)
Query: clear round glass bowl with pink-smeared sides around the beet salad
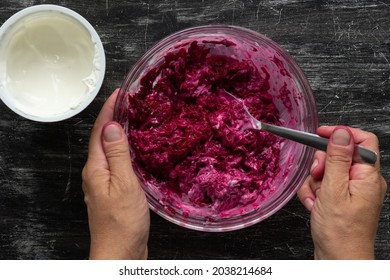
(290, 93)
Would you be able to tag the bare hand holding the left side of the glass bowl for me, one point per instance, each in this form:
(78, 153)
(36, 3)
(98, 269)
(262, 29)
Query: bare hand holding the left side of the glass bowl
(118, 213)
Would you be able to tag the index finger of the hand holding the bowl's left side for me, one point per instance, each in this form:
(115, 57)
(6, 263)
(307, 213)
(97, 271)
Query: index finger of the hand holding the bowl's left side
(106, 114)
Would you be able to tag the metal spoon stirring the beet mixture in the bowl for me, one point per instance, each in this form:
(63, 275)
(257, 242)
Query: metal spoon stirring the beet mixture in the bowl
(361, 154)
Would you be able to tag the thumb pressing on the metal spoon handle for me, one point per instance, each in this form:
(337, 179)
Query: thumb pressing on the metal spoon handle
(338, 161)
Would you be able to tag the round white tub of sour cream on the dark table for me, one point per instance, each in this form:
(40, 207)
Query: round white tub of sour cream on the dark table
(52, 63)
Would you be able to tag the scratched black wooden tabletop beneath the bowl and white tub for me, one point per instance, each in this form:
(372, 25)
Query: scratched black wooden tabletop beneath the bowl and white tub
(342, 46)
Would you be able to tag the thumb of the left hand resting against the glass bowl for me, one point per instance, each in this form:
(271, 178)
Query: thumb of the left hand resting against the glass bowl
(116, 149)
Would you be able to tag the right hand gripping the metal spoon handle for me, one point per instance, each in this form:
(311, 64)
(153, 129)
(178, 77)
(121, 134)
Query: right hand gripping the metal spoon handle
(344, 198)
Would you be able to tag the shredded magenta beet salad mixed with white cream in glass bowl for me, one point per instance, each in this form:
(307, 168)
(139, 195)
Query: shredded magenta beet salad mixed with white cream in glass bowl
(189, 138)
